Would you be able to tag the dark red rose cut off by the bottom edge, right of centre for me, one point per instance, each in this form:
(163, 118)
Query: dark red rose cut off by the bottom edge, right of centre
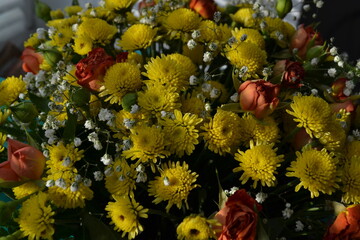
(239, 217)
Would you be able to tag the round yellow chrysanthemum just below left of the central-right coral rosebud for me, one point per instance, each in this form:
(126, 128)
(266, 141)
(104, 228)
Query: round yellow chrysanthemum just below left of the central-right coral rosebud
(222, 132)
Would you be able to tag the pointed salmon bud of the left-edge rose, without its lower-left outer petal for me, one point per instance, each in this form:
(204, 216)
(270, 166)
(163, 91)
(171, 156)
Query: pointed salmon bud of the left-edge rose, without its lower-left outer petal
(26, 161)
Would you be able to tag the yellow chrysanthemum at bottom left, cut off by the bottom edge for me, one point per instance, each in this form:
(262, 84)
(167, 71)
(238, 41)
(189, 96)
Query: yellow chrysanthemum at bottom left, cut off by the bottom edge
(36, 218)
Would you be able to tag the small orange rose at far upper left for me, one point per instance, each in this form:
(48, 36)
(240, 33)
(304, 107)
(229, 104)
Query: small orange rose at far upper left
(31, 60)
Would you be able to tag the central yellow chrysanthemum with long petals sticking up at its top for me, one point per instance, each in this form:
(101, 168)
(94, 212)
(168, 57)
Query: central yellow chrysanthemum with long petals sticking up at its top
(181, 132)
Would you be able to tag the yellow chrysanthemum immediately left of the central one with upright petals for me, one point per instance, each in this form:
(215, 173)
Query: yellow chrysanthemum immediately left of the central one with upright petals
(148, 144)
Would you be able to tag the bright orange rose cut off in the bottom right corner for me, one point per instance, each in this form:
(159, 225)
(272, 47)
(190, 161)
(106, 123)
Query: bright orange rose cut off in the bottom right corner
(346, 225)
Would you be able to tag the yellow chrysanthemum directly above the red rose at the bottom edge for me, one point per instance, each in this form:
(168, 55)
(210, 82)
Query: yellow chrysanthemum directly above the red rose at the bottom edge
(259, 164)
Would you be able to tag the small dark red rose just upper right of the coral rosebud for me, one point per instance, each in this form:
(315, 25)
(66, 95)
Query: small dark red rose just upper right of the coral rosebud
(292, 73)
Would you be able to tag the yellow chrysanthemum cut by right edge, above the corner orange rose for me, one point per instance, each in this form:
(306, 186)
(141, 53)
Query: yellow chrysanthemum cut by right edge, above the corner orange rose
(350, 181)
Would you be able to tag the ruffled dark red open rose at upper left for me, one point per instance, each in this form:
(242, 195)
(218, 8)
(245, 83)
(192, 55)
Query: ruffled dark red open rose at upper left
(91, 70)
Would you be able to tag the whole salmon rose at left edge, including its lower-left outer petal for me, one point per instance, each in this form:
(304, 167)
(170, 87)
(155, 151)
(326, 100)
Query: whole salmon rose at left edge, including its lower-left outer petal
(24, 162)
